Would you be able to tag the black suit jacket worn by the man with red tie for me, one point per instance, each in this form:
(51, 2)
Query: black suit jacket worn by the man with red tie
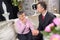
(47, 20)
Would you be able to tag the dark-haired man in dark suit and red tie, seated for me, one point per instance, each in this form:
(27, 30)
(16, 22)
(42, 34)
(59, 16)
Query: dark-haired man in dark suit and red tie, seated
(45, 18)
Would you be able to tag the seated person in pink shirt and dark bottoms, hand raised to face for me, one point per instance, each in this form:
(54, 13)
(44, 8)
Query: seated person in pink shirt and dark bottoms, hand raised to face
(24, 27)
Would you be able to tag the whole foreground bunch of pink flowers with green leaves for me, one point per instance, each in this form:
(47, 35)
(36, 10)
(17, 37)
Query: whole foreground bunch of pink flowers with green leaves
(53, 33)
